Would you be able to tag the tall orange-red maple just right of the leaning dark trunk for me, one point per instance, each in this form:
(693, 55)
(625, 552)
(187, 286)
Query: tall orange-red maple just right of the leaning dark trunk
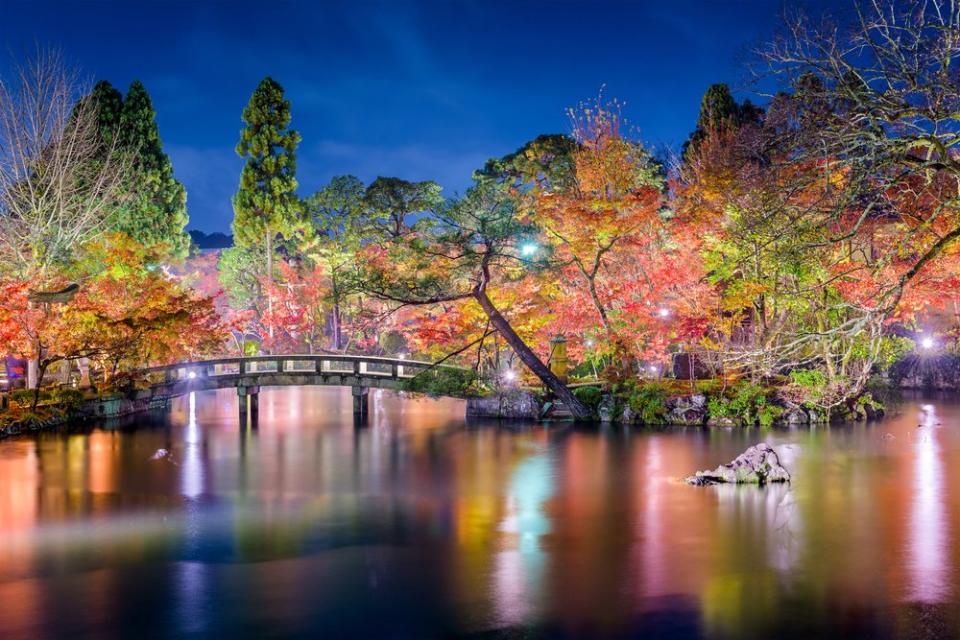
(611, 234)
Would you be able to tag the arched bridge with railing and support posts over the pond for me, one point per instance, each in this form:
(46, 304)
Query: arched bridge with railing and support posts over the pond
(248, 374)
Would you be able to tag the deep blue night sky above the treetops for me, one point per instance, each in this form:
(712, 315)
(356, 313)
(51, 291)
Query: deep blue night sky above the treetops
(420, 90)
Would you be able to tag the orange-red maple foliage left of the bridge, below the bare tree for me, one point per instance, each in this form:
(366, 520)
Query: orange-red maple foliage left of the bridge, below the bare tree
(124, 315)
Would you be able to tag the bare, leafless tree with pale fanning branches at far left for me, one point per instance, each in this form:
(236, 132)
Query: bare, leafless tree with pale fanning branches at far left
(58, 183)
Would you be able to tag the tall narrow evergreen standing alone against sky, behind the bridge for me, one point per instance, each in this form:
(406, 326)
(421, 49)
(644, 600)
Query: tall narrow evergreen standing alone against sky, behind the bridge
(266, 207)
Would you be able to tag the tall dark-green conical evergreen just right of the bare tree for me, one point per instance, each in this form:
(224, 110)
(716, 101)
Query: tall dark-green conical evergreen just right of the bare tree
(157, 212)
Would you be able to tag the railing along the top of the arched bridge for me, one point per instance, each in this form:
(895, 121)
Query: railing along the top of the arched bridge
(302, 364)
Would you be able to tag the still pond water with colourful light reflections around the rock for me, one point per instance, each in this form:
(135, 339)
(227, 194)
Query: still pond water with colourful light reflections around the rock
(422, 526)
